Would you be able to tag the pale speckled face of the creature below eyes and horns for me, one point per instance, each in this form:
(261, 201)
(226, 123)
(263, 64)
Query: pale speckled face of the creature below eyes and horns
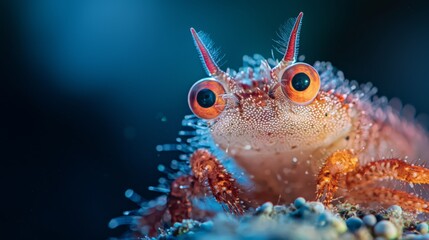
(261, 123)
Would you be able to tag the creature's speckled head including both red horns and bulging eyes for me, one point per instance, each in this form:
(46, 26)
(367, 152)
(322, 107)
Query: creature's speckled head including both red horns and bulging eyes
(273, 109)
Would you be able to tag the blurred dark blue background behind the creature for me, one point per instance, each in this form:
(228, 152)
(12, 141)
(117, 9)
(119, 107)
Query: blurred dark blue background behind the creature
(90, 87)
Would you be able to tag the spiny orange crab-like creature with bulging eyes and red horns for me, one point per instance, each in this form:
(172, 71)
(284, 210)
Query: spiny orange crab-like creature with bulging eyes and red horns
(292, 130)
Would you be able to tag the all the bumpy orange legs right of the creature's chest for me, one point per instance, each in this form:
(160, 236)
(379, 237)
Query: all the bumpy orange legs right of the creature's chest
(358, 180)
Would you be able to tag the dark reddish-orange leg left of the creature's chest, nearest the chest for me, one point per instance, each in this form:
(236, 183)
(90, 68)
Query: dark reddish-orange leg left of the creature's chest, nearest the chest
(207, 169)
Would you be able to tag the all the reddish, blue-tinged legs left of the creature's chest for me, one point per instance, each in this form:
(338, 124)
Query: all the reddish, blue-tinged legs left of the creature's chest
(208, 176)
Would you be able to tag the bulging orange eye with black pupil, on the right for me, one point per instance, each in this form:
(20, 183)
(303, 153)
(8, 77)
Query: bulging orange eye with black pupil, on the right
(300, 83)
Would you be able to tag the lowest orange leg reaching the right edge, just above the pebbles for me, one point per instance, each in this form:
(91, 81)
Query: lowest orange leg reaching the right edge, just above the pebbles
(386, 196)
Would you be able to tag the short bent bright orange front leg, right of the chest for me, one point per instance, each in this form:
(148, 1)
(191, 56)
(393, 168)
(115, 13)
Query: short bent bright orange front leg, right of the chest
(329, 178)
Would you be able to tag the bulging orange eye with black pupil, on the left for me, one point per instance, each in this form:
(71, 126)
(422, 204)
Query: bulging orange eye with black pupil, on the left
(205, 98)
